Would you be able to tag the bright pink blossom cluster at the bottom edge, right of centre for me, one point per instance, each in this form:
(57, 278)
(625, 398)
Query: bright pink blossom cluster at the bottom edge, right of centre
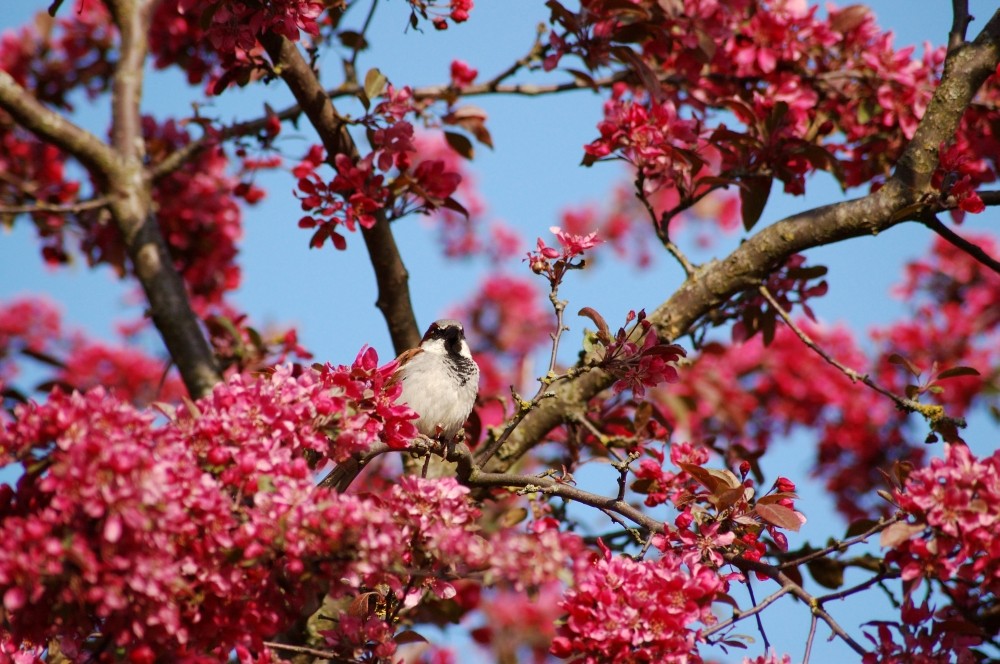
(626, 610)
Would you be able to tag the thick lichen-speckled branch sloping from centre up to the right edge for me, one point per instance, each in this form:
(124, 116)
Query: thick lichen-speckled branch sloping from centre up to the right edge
(714, 283)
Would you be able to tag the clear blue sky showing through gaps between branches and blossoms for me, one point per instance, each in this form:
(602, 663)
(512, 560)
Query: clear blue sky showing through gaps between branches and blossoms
(531, 175)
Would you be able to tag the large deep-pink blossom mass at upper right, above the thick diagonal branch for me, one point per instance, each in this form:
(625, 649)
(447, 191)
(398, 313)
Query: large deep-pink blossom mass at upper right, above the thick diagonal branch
(808, 92)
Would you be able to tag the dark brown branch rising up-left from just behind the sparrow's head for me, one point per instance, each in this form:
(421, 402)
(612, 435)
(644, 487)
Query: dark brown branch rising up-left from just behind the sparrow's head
(390, 273)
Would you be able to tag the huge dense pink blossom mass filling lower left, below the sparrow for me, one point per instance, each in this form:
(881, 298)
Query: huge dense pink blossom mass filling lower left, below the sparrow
(193, 534)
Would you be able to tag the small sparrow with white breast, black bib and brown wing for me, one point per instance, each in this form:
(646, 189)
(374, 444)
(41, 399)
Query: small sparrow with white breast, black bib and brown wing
(440, 382)
